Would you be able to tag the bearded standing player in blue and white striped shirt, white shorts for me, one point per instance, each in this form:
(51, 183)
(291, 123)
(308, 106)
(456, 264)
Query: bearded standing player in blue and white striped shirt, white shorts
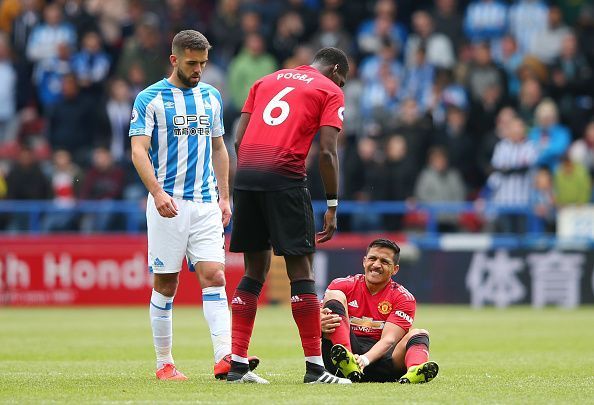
(176, 132)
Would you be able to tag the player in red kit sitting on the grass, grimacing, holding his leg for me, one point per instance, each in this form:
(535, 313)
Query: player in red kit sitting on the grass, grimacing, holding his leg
(367, 324)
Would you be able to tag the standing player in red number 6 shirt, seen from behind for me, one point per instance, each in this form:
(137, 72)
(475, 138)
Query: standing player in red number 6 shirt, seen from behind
(272, 206)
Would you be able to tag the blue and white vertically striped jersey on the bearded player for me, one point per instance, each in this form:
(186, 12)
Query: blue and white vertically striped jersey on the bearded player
(181, 123)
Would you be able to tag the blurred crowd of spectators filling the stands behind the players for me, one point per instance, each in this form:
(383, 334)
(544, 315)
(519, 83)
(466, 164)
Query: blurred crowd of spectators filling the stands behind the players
(449, 101)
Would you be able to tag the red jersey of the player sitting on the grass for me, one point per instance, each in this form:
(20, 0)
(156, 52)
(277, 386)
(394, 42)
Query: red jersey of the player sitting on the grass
(369, 313)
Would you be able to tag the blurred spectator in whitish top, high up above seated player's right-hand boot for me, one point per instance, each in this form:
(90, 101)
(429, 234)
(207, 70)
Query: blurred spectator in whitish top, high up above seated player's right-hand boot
(439, 51)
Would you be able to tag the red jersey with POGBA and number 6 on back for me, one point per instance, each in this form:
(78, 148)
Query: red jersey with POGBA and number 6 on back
(287, 109)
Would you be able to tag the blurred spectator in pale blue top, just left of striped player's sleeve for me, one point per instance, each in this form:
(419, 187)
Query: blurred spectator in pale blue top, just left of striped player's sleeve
(118, 110)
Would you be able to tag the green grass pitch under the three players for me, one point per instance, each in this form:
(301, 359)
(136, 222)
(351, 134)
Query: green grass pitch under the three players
(97, 355)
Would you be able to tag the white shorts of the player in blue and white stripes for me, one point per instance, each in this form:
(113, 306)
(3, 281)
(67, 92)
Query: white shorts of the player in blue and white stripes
(196, 233)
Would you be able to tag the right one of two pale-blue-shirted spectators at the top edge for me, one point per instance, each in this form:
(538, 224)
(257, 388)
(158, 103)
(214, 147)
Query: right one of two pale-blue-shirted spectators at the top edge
(527, 19)
